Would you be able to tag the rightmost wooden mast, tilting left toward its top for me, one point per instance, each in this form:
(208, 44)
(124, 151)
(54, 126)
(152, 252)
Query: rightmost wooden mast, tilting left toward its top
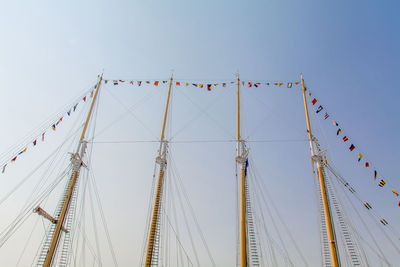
(317, 158)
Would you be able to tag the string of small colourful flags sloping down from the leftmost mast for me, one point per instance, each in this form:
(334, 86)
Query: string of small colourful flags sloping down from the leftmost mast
(52, 126)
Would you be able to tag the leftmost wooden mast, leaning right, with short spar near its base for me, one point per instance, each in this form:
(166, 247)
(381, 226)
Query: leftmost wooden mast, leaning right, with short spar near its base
(77, 164)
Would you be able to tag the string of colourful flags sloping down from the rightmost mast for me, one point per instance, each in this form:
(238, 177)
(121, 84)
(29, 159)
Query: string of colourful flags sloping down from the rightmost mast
(361, 159)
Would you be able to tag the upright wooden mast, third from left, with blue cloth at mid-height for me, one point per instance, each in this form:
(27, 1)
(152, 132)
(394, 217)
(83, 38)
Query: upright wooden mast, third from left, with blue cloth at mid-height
(241, 159)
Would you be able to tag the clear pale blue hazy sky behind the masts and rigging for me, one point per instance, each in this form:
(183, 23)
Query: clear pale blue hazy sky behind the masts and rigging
(51, 52)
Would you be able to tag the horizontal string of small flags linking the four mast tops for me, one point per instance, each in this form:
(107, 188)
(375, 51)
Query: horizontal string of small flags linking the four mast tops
(205, 85)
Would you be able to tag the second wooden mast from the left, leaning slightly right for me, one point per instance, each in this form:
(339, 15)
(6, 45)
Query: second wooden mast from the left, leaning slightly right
(155, 216)
